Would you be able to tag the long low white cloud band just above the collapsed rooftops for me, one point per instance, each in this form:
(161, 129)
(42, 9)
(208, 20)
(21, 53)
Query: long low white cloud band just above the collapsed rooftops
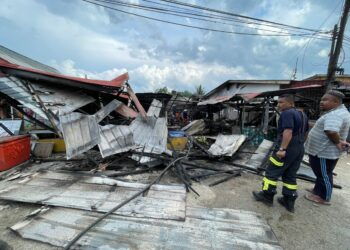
(181, 76)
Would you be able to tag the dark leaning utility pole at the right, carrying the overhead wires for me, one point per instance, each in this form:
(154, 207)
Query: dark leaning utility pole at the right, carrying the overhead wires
(334, 53)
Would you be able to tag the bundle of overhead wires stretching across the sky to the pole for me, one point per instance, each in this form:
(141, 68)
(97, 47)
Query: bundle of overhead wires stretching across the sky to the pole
(207, 19)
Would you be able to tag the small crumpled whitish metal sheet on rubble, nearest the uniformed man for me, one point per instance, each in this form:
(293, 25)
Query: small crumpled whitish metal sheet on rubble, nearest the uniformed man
(227, 145)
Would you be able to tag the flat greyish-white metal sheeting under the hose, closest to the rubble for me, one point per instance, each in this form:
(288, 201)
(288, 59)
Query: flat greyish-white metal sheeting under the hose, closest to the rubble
(65, 189)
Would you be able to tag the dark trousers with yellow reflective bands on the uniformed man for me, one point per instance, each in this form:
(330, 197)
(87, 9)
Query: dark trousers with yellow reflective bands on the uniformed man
(288, 172)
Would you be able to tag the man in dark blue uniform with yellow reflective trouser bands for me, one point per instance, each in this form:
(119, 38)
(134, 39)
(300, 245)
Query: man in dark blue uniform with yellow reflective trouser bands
(287, 155)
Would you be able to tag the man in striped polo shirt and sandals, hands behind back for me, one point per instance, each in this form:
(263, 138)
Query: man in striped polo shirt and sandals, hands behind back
(325, 143)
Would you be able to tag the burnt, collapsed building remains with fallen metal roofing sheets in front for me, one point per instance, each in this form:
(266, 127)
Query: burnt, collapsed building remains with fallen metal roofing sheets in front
(93, 150)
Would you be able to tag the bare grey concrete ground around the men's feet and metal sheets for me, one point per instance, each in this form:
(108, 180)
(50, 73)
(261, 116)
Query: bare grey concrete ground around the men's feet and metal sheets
(311, 227)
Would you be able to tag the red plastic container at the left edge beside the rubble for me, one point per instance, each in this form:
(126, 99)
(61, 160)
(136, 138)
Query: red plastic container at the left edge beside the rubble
(14, 150)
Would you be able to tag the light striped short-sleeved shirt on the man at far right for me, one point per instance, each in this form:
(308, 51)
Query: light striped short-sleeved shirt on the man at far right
(318, 143)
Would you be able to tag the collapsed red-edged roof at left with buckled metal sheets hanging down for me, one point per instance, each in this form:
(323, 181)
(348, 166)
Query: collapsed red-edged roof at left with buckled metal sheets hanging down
(82, 111)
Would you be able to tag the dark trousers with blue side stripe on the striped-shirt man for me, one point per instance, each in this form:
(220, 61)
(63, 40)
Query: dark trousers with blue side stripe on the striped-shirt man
(323, 169)
